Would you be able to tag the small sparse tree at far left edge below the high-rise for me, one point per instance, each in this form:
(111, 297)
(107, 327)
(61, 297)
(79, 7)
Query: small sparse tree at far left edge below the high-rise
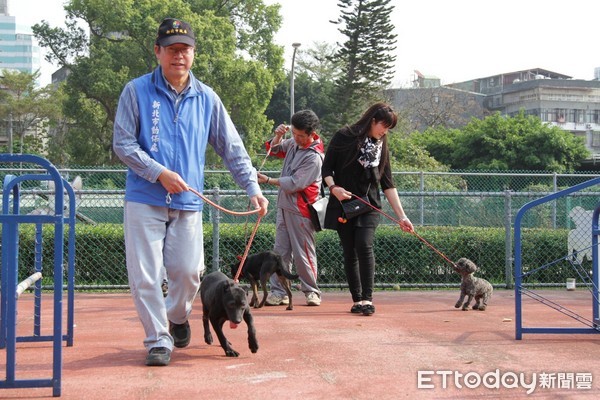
(24, 107)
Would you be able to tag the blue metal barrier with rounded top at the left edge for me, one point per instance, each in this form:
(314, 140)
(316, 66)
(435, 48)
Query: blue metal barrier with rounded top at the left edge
(11, 219)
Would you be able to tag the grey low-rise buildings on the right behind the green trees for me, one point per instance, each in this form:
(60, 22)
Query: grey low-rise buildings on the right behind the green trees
(555, 98)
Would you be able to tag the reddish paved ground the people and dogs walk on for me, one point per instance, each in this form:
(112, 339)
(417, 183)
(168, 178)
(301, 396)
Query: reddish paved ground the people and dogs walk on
(327, 353)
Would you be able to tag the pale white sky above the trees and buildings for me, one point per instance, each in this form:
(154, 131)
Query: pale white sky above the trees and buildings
(453, 40)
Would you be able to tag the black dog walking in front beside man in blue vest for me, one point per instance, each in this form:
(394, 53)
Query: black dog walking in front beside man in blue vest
(224, 300)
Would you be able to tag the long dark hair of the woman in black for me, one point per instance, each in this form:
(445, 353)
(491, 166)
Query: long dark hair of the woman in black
(378, 112)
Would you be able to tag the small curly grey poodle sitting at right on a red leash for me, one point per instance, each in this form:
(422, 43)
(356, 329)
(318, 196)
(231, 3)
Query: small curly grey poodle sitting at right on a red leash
(472, 286)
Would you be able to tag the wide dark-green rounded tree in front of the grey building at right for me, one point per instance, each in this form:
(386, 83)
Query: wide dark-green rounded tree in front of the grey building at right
(522, 142)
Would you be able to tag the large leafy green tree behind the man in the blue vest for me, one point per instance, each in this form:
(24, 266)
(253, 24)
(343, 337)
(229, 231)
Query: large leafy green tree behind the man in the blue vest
(235, 55)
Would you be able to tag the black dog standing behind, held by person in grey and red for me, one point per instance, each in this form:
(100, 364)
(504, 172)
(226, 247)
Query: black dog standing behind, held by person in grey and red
(259, 268)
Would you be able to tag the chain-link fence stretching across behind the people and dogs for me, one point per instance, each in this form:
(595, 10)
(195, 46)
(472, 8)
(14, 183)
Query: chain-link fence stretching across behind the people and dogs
(461, 214)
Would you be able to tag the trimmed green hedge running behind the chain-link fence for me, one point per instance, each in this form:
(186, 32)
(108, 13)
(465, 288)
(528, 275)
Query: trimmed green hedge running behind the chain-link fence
(402, 258)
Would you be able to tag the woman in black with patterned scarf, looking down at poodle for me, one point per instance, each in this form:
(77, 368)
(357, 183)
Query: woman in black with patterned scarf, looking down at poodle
(357, 163)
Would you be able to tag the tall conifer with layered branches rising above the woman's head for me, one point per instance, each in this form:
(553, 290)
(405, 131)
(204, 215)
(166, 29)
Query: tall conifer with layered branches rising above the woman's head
(366, 56)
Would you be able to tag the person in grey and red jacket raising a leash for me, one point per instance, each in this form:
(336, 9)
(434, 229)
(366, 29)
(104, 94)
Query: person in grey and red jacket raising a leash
(300, 178)
